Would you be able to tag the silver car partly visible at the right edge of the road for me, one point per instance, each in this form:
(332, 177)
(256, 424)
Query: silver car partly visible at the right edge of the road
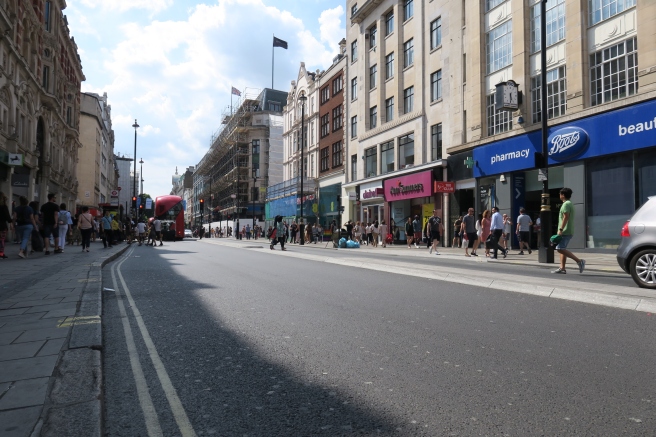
(636, 253)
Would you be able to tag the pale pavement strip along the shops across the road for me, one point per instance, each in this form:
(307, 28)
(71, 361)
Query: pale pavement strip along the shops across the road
(594, 261)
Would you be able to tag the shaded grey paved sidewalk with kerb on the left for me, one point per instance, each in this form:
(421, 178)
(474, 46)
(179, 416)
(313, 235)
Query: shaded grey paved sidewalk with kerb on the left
(50, 341)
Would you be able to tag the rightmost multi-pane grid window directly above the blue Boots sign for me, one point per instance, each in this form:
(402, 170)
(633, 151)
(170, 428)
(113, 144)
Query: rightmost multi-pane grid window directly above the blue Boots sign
(614, 72)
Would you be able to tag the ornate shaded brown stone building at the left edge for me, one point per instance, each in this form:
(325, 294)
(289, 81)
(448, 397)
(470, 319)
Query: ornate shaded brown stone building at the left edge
(39, 102)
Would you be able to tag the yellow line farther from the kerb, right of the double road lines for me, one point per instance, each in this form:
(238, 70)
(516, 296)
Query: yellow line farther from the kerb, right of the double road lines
(186, 429)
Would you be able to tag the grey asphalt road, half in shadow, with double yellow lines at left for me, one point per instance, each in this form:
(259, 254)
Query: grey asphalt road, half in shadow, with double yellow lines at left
(256, 343)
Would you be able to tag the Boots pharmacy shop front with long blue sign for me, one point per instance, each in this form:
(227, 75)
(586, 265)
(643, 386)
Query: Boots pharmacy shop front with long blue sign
(608, 160)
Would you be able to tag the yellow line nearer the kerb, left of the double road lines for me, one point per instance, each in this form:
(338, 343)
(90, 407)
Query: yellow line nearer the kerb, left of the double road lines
(145, 401)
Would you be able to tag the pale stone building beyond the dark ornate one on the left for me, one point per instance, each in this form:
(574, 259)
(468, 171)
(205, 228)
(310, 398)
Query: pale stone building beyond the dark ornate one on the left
(97, 168)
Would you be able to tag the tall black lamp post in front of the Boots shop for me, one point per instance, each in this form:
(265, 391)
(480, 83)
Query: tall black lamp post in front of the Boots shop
(546, 252)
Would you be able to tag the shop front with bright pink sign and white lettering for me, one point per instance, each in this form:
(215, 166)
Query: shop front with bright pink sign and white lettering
(408, 196)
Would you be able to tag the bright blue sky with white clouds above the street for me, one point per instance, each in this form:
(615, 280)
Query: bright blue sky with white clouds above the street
(171, 64)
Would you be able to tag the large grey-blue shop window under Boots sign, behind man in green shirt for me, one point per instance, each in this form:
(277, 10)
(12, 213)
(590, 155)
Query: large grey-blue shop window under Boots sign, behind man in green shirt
(610, 199)
